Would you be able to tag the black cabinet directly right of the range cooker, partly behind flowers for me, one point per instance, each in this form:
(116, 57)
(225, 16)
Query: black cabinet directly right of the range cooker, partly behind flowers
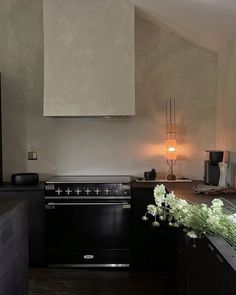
(152, 247)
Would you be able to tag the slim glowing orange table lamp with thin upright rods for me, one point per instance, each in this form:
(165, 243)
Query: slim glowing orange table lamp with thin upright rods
(170, 137)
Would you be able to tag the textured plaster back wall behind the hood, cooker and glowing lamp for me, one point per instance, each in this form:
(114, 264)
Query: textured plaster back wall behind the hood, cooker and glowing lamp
(166, 66)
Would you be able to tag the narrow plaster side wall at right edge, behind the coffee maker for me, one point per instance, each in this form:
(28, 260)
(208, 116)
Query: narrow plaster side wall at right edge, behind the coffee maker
(226, 106)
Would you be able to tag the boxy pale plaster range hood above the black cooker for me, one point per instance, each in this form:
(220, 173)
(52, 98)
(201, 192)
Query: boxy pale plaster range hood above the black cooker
(88, 58)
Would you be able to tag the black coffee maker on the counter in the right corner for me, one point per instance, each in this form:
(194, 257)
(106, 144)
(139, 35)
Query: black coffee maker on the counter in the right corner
(211, 167)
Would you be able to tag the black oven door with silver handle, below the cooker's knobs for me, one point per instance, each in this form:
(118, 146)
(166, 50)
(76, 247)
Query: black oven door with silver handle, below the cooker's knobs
(88, 232)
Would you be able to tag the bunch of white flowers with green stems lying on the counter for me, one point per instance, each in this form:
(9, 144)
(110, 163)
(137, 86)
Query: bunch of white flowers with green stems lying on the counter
(197, 219)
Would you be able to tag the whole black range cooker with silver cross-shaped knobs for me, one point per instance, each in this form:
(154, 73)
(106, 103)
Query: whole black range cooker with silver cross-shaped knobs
(88, 221)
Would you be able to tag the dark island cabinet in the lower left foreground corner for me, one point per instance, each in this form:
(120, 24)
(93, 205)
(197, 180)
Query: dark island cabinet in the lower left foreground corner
(13, 247)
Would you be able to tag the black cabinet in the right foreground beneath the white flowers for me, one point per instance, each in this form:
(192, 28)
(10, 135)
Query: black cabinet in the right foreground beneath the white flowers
(204, 269)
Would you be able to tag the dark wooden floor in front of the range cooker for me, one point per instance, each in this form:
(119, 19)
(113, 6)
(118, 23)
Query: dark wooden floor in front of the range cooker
(99, 281)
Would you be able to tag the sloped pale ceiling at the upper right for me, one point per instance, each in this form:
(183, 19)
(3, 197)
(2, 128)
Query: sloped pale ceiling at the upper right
(209, 23)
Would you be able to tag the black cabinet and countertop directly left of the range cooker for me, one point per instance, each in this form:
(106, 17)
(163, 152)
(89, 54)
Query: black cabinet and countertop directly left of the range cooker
(34, 195)
